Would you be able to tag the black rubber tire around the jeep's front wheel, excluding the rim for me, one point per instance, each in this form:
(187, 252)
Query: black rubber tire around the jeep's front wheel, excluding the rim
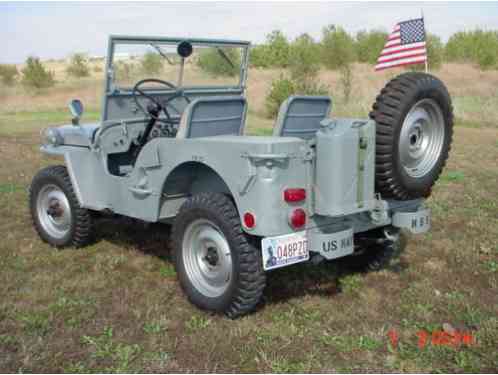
(80, 232)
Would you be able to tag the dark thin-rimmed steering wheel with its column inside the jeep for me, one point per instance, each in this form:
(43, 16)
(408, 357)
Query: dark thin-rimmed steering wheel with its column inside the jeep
(155, 106)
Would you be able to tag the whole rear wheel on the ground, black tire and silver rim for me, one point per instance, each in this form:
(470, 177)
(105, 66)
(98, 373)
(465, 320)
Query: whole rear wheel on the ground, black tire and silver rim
(217, 266)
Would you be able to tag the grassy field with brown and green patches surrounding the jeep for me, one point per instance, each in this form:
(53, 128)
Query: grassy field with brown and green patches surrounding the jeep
(116, 306)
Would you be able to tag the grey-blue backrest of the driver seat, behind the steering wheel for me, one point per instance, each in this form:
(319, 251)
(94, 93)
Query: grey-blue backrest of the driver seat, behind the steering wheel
(212, 116)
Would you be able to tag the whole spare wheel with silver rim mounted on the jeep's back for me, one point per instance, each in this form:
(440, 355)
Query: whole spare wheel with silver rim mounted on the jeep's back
(414, 128)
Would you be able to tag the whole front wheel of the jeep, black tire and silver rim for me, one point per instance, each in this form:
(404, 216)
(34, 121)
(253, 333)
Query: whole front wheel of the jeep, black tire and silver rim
(55, 210)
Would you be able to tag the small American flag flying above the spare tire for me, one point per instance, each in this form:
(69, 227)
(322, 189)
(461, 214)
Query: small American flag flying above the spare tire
(404, 46)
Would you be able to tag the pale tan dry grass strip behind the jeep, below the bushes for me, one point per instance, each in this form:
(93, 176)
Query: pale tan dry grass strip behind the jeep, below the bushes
(474, 93)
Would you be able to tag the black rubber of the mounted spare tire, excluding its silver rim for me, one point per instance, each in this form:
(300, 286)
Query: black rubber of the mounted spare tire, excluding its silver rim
(391, 107)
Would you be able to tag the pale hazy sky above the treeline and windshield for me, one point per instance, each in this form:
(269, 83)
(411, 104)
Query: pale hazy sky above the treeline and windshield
(55, 30)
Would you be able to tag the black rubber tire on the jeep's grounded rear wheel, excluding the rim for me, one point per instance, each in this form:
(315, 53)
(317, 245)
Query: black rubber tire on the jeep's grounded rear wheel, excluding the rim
(247, 279)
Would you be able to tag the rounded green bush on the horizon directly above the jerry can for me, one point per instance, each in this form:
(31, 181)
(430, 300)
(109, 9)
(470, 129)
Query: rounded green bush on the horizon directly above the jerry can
(337, 47)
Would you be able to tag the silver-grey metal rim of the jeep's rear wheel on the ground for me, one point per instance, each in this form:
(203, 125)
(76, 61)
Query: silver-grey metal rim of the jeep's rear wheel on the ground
(207, 258)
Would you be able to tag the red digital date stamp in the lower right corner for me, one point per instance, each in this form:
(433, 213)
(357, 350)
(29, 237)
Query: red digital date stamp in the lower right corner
(436, 338)
